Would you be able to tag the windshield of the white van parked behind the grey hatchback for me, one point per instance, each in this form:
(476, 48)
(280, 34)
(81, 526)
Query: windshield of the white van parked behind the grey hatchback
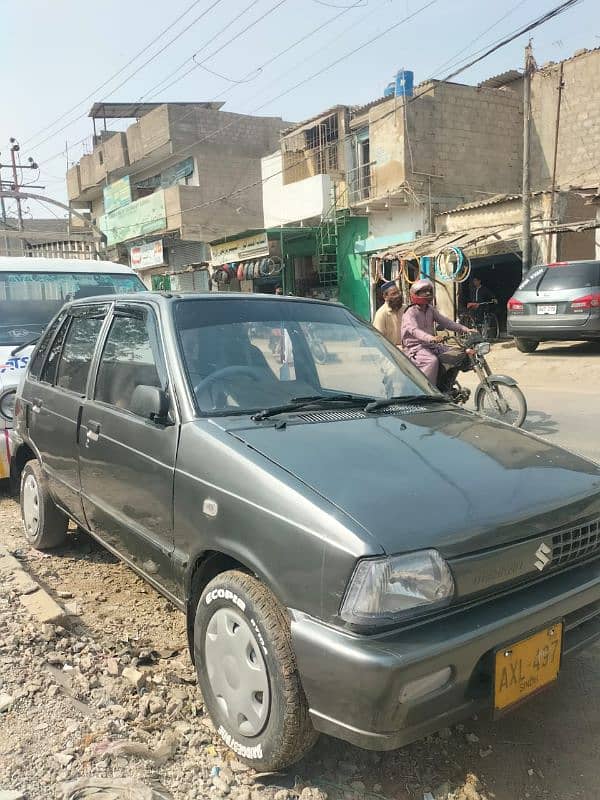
(29, 300)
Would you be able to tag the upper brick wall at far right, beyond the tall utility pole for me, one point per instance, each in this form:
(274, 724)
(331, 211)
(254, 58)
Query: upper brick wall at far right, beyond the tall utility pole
(578, 162)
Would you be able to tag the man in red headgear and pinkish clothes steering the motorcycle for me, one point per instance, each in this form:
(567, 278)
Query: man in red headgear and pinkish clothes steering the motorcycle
(419, 340)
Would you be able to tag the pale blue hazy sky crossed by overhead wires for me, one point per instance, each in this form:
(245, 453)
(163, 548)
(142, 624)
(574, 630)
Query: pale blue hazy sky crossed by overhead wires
(65, 55)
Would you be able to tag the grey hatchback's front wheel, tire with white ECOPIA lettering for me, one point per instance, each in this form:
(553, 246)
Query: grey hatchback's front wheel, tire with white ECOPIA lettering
(247, 672)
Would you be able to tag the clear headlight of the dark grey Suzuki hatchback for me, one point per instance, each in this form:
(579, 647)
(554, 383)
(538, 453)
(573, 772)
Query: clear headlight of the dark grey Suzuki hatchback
(381, 589)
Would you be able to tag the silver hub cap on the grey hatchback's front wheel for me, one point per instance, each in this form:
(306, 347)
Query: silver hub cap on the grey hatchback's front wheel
(237, 672)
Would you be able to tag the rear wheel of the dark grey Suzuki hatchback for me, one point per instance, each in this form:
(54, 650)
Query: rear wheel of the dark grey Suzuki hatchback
(46, 526)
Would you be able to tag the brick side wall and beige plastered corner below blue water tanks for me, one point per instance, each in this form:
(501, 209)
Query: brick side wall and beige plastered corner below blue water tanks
(468, 139)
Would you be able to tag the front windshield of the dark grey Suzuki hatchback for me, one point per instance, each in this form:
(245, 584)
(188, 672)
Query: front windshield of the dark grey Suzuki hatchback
(247, 355)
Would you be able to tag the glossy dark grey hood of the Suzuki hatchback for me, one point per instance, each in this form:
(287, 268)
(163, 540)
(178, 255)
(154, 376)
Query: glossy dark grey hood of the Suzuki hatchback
(443, 478)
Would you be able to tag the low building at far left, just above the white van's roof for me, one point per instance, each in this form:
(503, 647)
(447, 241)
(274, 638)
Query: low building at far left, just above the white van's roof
(46, 238)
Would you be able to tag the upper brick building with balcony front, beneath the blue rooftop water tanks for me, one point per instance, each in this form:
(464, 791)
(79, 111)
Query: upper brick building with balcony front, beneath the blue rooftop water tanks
(416, 155)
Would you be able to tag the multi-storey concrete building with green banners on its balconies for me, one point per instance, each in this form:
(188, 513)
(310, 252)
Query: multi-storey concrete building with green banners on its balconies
(179, 176)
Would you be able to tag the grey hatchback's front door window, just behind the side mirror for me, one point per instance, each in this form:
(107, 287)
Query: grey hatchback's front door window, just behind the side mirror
(131, 358)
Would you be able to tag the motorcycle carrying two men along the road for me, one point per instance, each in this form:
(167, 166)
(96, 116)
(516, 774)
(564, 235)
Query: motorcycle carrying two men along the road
(496, 396)
